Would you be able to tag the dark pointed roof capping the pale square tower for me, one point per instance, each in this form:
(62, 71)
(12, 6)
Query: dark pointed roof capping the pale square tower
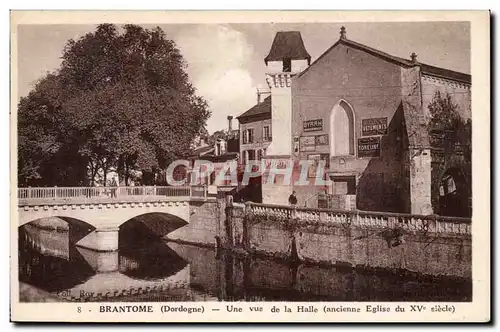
(288, 45)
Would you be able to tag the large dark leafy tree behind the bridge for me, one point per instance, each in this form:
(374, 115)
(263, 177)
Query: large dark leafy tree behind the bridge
(119, 101)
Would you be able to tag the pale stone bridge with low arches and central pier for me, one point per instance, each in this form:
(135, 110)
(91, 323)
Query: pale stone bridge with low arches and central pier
(102, 210)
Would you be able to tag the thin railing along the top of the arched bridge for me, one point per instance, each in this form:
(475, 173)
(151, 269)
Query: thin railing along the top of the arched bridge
(94, 192)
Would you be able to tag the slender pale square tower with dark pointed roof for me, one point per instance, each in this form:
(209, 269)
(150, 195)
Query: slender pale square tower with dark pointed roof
(287, 57)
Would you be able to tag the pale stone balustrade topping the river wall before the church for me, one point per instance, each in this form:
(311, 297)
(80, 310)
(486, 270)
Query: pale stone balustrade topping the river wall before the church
(372, 219)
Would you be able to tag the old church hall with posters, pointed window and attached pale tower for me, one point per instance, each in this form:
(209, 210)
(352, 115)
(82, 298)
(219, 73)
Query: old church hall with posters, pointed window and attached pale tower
(366, 114)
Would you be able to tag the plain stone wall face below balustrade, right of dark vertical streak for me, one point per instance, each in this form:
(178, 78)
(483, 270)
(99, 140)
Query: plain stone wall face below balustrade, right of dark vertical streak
(365, 246)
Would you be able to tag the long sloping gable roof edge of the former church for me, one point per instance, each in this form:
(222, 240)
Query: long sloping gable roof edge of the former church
(424, 68)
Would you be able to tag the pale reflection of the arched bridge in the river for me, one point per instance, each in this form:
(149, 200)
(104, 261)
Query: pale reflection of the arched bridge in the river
(51, 252)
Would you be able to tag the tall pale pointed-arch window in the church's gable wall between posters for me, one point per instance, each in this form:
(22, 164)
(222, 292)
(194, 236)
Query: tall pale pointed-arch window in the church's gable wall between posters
(342, 130)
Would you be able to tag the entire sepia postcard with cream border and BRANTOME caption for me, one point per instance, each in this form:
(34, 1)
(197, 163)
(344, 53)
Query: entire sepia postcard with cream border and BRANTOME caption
(250, 166)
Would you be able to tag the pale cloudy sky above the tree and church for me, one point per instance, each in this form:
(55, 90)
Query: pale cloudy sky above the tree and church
(226, 62)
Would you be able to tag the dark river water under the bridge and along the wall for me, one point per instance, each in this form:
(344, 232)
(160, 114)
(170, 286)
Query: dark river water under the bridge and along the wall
(147, 268)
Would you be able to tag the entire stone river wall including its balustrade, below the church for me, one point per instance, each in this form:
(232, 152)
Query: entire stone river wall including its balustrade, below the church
(410, 243)
